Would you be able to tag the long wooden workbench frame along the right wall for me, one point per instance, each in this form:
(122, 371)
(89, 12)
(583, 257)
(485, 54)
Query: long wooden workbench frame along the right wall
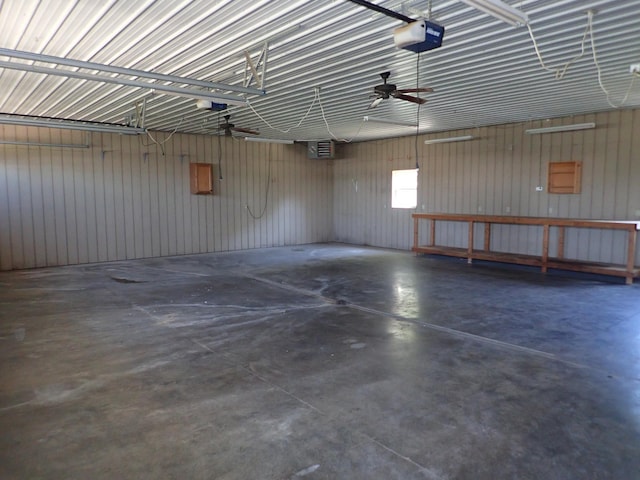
(544, 261)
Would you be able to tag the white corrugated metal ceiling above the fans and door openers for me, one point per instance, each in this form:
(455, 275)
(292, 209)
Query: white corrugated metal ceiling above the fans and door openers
(485, 73)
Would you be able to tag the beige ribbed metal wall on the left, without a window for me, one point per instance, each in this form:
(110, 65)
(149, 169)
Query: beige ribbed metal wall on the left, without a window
(124, 197)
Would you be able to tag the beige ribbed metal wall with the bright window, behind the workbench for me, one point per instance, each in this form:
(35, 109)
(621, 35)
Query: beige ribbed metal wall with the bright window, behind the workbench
(496, 174)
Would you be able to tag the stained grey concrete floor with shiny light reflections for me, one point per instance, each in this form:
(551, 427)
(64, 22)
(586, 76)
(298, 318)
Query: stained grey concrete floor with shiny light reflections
(317, 362)
